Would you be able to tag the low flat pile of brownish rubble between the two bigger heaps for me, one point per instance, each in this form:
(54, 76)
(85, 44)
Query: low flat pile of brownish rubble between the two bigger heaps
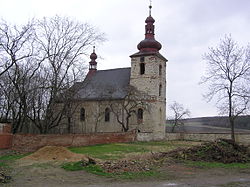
(126, 166)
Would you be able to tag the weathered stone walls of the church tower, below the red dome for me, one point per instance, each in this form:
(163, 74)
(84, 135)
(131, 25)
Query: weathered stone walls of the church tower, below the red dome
(149, 82)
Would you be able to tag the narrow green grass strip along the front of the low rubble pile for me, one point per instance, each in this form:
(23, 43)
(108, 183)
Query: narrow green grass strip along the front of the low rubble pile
(97, 170)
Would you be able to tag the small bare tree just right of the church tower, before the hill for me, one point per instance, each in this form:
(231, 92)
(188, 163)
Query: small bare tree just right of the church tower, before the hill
(179, 113)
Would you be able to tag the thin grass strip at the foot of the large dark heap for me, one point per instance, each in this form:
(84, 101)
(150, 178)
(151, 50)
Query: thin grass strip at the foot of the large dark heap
(217, 165)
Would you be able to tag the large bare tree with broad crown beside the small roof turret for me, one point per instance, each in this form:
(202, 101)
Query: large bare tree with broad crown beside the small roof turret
(63, 43)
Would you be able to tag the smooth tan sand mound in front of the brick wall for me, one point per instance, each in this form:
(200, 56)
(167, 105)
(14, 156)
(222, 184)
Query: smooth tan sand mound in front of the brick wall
(56, 153)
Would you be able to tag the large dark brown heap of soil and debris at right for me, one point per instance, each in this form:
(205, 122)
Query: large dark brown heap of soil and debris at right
(222, 150)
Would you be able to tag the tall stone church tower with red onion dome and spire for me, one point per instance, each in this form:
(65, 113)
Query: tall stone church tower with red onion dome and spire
(148, 74)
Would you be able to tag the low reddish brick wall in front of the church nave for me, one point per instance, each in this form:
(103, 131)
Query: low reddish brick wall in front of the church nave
(32, 142)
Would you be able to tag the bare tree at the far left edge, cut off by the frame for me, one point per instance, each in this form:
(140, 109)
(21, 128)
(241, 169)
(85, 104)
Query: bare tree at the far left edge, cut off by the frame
(18, 65)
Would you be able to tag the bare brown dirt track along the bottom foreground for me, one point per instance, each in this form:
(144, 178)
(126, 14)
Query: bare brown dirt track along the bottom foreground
(51, 175)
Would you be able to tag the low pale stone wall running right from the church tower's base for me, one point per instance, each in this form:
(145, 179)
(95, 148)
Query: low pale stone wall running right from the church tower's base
(239, 137)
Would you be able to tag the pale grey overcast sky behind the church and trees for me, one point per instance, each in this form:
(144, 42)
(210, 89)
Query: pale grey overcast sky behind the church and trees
(185, 28)
